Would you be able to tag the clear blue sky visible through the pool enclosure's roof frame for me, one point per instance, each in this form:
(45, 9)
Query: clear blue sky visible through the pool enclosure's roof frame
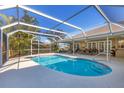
(87, 19)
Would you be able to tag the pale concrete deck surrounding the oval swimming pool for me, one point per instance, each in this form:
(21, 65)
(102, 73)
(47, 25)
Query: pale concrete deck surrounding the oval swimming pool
(33, 75)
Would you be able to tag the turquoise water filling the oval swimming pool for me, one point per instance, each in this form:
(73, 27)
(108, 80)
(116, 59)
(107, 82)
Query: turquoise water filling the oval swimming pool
(75, 66)
